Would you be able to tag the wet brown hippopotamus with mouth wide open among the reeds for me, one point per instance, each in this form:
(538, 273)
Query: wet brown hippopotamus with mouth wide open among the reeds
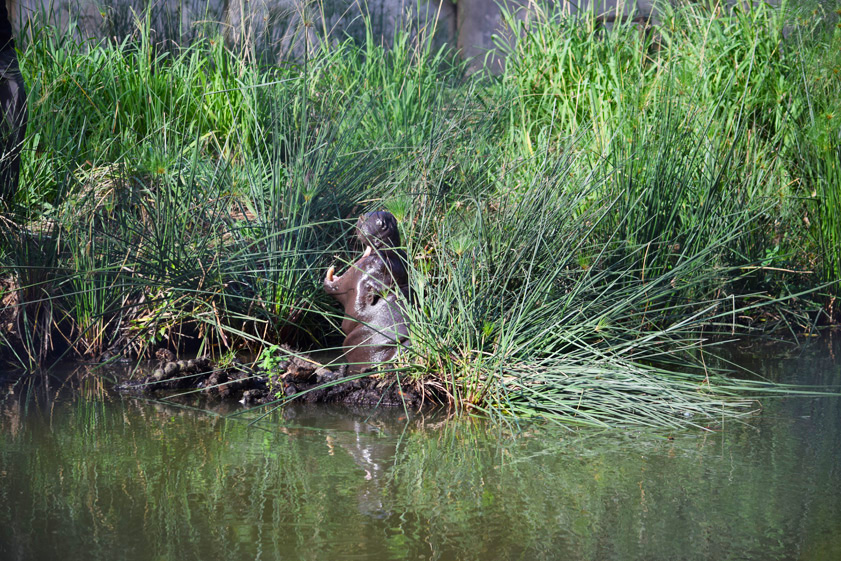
(373, 292)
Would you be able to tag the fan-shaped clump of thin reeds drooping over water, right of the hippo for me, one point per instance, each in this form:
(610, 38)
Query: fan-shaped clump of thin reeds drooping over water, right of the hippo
(536, 302)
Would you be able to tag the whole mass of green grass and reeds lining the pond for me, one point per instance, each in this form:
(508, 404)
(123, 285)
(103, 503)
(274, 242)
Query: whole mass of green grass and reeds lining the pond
(576, 227)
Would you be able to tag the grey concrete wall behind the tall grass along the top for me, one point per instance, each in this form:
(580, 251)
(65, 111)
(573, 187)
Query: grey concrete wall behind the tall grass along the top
(275, 27)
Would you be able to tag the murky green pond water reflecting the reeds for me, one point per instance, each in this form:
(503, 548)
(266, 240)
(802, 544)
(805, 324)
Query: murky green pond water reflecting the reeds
(86, 474)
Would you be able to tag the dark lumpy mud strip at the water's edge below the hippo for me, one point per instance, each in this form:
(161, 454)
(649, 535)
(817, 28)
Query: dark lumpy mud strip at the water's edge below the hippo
(299, 380)
